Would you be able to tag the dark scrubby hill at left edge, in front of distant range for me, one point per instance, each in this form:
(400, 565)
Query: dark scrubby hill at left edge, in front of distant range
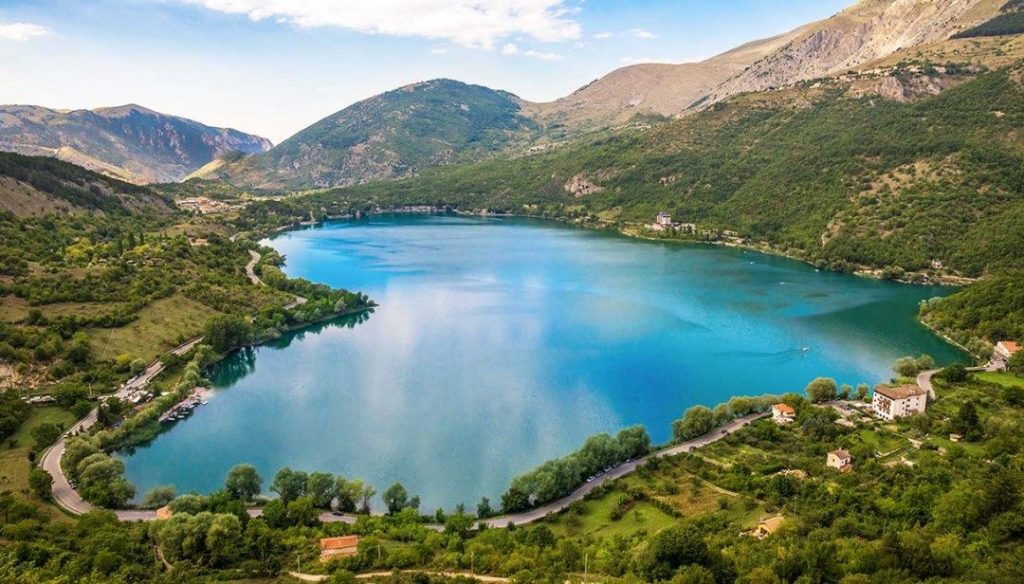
(38, 186)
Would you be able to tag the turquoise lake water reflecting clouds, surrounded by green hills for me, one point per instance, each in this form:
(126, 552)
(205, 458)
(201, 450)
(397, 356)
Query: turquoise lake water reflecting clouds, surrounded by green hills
(500, 344)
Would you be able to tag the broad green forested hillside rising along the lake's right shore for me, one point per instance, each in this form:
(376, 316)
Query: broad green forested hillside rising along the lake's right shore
(815, 172)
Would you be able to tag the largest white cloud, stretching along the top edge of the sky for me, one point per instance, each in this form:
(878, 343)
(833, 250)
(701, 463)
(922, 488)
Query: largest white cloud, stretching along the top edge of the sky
(479, 24)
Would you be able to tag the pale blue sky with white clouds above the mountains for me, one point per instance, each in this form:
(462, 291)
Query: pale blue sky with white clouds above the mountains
(275, 67)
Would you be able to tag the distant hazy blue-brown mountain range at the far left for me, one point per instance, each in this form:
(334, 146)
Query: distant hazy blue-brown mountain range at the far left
(130, 143)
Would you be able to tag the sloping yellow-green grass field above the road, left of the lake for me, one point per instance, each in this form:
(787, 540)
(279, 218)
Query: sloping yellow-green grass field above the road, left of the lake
(159, 327)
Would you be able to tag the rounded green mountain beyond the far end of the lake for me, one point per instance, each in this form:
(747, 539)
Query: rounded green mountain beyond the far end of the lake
(391, 136)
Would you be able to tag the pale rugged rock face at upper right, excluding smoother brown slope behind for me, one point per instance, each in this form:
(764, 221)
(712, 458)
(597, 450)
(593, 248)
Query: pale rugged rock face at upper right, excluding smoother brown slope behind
(869, 31)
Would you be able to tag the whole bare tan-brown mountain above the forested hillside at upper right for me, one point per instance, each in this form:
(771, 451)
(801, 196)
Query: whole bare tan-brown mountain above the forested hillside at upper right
(868, 31)
